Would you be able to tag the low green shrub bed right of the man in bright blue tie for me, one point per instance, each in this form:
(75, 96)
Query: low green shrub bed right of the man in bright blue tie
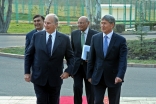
(144, 52)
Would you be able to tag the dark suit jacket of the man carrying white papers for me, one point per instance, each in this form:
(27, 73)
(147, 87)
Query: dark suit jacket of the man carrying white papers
(76, 45)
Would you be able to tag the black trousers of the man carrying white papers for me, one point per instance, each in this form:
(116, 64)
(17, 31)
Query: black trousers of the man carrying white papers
(78, 86)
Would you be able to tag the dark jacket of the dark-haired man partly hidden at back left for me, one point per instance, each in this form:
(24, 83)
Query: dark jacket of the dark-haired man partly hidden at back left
(28, 39)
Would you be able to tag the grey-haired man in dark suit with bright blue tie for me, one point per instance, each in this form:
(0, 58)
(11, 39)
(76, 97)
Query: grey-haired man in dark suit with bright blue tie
(107, 62)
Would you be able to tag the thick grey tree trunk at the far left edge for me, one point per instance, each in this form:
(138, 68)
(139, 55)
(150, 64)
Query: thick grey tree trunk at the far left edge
(5, 20)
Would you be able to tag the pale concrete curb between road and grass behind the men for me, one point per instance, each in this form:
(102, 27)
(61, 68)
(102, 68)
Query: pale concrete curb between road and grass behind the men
(129, 64)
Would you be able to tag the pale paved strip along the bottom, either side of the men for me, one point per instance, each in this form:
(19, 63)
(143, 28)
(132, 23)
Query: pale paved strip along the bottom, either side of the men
(32, 100)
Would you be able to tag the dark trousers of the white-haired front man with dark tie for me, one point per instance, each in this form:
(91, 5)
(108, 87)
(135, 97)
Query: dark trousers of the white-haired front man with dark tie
(47, 94)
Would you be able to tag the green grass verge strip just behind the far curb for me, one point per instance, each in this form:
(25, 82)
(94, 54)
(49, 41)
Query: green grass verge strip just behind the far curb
(20, 51)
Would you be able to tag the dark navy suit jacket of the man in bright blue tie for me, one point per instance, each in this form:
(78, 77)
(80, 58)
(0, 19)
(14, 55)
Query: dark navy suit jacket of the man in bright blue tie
(113, 65)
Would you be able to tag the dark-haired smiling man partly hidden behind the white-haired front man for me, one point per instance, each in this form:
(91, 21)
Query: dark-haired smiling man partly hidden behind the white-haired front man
(38, 21)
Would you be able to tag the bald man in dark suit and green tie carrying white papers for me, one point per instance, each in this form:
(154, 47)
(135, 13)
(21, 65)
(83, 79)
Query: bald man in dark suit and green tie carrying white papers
(78, 38)
